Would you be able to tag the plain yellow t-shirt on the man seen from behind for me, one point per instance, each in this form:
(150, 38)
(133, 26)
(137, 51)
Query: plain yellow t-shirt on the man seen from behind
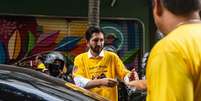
(174, 66)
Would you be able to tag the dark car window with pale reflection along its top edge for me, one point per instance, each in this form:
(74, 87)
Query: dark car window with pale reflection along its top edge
(15, 92)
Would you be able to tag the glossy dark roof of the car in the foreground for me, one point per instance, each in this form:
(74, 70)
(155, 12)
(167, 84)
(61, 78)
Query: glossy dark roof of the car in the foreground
(39, 79)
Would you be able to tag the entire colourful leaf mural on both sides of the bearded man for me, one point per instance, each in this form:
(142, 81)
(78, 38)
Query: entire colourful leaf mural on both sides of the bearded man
(23, 37)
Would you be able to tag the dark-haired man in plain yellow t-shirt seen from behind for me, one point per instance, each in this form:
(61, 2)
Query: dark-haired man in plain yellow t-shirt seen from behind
(174, 64)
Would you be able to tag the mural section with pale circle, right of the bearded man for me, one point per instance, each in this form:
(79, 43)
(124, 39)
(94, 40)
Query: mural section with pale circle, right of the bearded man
(127, 40)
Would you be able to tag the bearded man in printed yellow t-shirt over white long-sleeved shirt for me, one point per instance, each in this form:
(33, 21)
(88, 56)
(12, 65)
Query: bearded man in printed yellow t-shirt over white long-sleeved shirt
(97, 69)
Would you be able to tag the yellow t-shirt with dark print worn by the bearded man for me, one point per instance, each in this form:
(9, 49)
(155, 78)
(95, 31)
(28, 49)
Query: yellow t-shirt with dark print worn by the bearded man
(109, 66)
